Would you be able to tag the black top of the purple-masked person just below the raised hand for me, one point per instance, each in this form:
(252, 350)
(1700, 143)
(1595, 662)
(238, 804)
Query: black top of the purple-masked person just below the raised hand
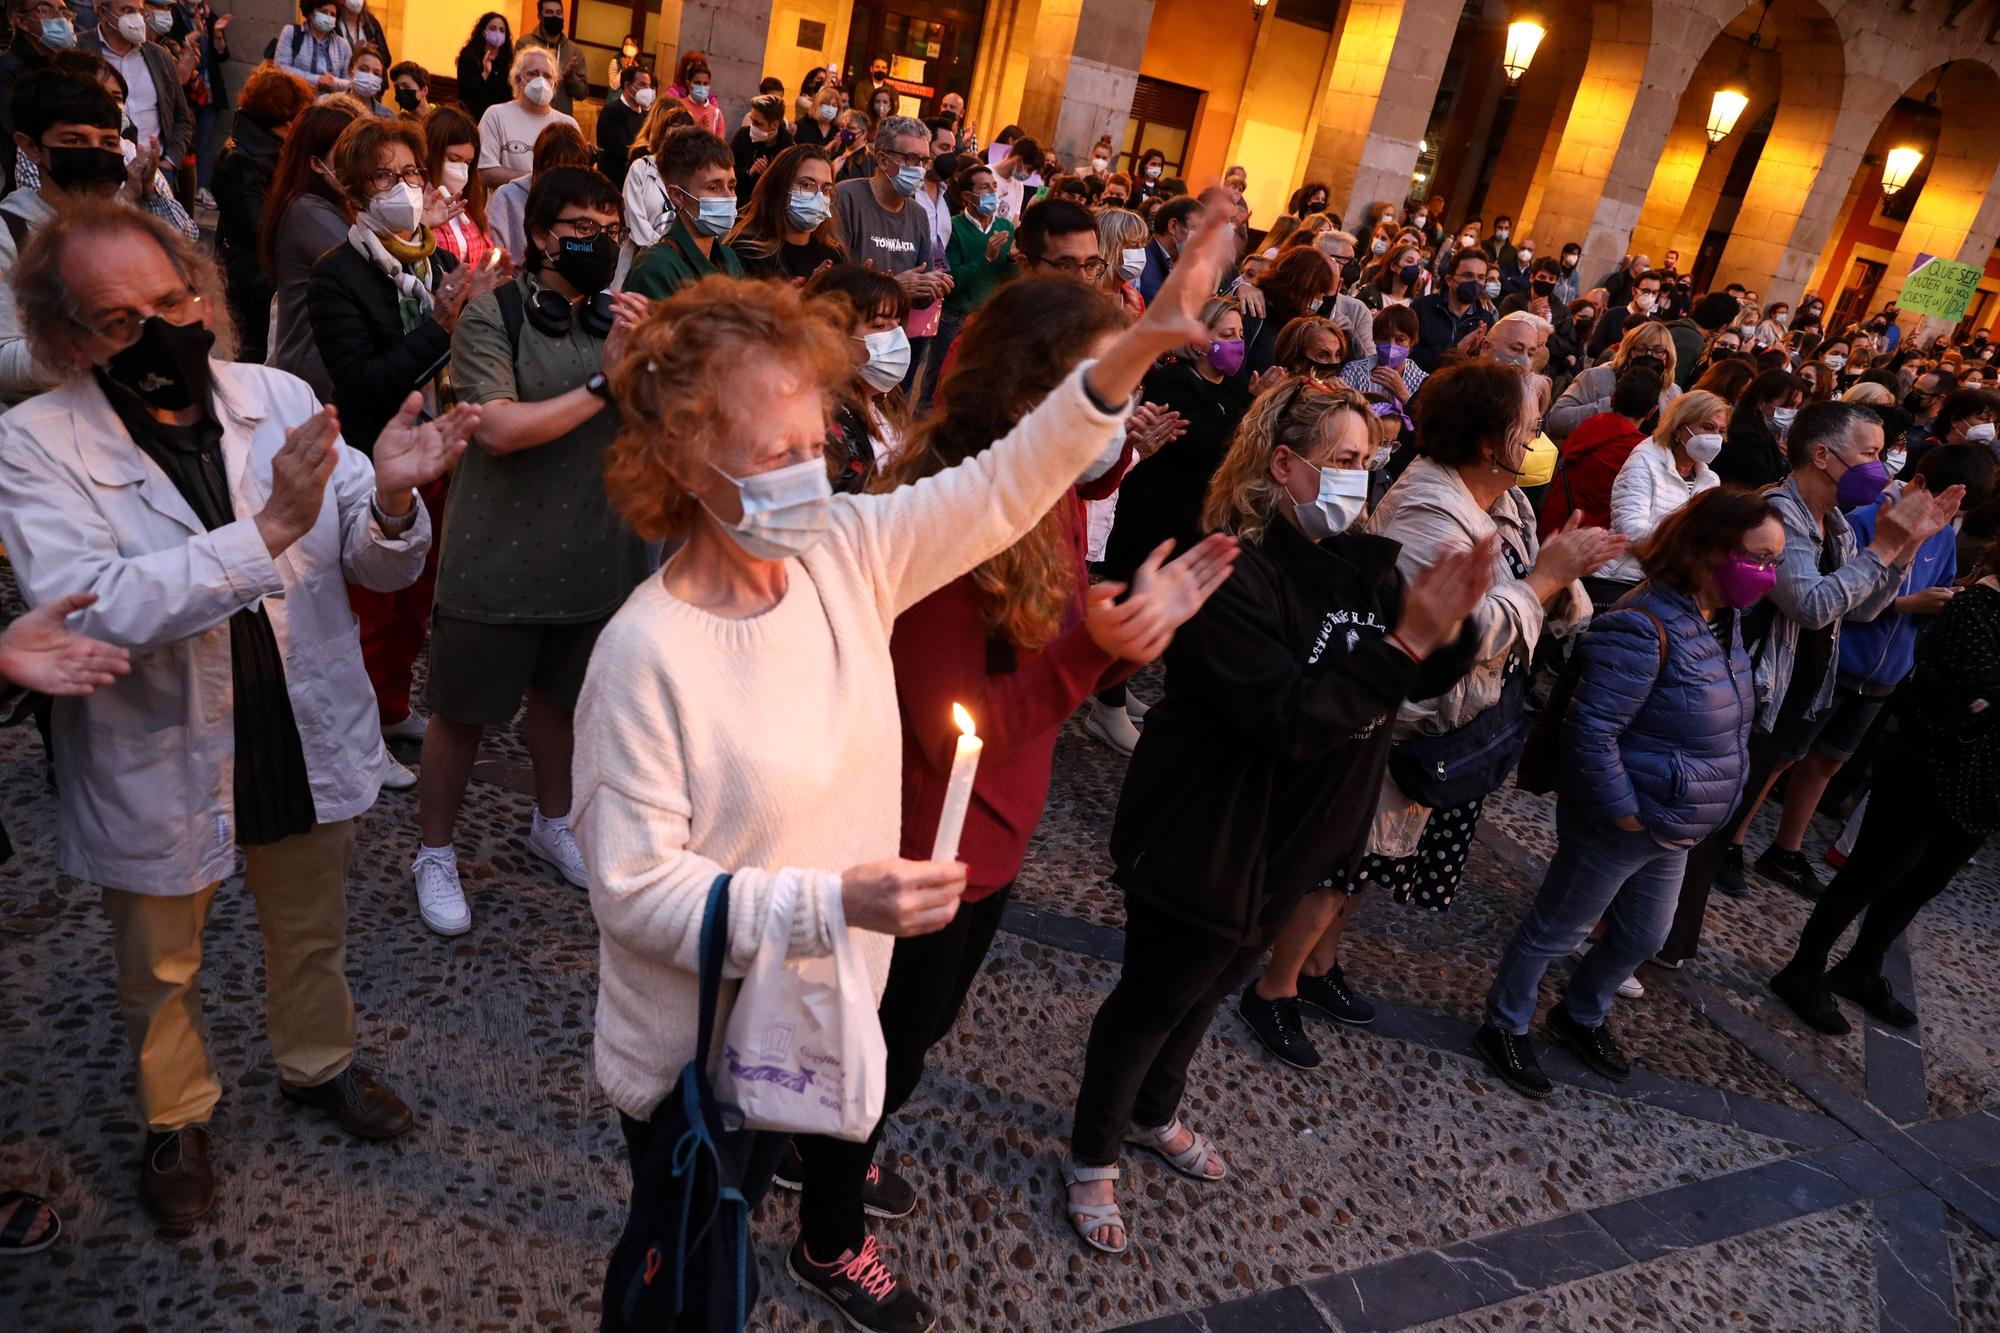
(1163, 497)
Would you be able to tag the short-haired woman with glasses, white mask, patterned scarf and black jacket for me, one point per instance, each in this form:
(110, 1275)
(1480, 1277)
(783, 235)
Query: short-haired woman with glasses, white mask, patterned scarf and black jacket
(383, 309)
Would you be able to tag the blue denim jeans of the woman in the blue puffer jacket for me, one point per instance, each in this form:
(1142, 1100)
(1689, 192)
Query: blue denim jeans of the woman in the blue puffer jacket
(1601, 872)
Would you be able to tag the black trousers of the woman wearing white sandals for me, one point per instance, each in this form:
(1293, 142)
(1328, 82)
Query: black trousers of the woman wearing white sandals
(1151, 1026)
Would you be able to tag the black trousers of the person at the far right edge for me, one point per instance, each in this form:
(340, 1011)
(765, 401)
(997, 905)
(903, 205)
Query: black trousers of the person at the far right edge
(1905, 858)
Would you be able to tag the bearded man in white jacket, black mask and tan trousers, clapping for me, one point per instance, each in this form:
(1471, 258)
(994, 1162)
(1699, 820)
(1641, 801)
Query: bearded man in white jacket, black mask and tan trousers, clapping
(217, 519)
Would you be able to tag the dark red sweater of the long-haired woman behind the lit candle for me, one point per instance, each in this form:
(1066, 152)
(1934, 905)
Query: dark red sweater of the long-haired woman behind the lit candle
(945, 653)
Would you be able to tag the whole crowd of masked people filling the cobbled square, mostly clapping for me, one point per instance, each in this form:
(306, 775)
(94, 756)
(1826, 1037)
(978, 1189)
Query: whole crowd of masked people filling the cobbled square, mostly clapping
(733, 449)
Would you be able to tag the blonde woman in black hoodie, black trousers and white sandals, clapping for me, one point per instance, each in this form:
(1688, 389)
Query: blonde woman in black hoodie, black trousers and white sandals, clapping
(1255, 776)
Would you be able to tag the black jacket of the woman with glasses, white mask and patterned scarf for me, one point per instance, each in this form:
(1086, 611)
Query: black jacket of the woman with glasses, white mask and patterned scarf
(357, 323)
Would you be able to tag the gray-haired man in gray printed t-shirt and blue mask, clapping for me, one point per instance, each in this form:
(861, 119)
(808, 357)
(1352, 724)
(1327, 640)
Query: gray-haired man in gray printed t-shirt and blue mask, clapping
(885, 227)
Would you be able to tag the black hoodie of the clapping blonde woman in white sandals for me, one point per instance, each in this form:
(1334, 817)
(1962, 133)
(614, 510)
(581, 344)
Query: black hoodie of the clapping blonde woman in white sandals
(1257, 778)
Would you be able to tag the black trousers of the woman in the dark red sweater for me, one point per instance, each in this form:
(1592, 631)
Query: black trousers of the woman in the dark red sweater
(929, 978)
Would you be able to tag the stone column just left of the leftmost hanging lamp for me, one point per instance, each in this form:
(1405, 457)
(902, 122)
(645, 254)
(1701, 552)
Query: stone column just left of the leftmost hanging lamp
(1385, 79)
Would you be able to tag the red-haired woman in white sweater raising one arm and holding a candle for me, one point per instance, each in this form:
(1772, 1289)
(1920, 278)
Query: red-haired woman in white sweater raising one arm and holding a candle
(741, 710)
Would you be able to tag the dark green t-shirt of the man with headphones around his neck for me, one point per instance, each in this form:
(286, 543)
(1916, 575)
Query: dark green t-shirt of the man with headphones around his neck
(531, 537)
